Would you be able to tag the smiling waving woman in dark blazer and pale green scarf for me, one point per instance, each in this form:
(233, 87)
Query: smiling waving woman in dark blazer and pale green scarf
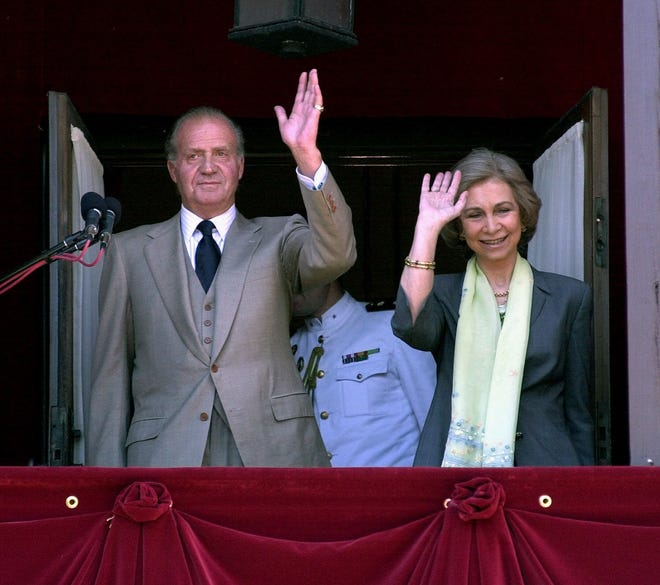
(515, 371)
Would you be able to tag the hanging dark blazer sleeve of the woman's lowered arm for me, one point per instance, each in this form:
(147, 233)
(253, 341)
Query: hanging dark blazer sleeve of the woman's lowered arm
(580, 379)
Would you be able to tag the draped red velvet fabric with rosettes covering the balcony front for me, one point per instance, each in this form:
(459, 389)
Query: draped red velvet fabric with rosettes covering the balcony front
(329, 526)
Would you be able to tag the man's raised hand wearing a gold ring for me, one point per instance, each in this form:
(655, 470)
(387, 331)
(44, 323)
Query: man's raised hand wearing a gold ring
(299, 129)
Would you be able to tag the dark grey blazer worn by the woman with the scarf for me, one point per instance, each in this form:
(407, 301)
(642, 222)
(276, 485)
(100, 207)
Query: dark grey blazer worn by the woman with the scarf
(555, 426)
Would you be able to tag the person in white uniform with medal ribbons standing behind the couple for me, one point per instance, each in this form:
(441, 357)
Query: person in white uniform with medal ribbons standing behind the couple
(371, 391)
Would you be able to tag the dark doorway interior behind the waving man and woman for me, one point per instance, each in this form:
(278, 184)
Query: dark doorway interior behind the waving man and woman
(379, 164)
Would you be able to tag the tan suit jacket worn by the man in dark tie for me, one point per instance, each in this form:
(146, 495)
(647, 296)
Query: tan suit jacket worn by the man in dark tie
(154, 378)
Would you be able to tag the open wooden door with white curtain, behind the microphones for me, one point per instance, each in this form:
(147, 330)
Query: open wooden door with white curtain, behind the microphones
(72, 288)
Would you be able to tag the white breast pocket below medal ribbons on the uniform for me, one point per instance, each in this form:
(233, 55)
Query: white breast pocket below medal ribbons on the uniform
(363, 386)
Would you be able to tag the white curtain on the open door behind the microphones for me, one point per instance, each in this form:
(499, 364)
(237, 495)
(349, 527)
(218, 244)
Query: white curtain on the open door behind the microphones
(87, 176)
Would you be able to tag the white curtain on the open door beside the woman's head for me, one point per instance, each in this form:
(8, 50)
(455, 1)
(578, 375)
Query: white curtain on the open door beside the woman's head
(558, 245)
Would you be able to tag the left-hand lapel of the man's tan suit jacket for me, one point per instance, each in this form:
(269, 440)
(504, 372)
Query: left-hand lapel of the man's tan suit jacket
(165, 257)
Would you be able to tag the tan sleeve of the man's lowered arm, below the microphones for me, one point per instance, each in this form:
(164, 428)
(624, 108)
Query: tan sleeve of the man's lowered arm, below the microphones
(108, 401)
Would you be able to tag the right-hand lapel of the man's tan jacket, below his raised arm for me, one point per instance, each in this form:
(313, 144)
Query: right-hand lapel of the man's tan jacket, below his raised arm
(242, 241)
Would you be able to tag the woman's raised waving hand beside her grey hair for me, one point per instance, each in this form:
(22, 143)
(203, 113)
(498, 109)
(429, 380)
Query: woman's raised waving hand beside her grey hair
(438, 204)
